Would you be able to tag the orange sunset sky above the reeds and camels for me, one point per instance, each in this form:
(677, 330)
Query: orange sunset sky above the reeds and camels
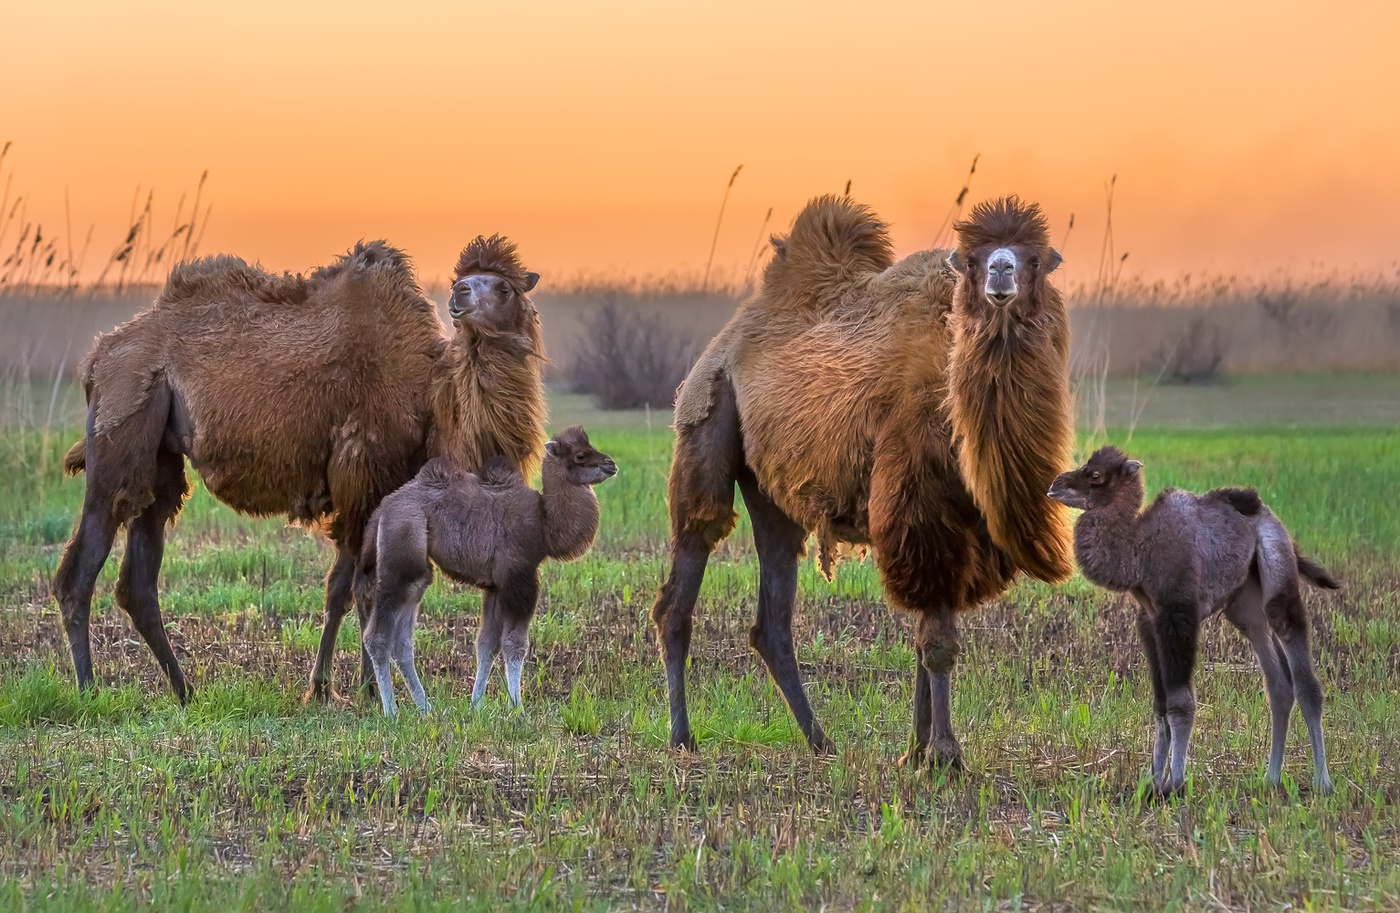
(1248, 138)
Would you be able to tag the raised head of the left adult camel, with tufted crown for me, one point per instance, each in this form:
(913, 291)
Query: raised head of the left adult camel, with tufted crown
(491, 286)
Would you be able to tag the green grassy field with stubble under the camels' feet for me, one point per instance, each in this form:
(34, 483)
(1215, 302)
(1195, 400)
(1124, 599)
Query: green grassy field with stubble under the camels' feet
(248, 800)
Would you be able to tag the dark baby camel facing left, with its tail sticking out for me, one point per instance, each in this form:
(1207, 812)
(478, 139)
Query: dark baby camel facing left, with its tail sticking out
(1184, 559)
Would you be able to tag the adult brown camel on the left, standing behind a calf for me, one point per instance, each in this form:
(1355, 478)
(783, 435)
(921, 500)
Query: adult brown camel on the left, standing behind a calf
(314, 397)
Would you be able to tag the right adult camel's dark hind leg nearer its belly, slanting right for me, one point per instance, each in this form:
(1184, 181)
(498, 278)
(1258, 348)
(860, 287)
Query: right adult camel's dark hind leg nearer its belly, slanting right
(779, 541)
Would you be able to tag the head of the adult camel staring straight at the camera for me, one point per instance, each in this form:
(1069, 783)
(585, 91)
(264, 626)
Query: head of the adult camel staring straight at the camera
(1004, 253)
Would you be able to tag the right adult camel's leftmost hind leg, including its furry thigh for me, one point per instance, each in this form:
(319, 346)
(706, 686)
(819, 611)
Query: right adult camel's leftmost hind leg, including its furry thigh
(708, 460)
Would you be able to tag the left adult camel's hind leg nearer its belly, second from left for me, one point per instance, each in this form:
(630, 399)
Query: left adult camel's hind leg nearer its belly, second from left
(136, 587)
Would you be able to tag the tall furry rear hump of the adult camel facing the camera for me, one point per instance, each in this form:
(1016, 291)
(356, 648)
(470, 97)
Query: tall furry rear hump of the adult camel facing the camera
(834, 242)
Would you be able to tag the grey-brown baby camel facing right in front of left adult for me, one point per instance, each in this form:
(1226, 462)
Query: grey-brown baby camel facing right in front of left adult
(489, 530)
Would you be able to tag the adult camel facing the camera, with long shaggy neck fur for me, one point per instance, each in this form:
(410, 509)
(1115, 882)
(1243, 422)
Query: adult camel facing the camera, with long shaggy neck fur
(920, 408)
